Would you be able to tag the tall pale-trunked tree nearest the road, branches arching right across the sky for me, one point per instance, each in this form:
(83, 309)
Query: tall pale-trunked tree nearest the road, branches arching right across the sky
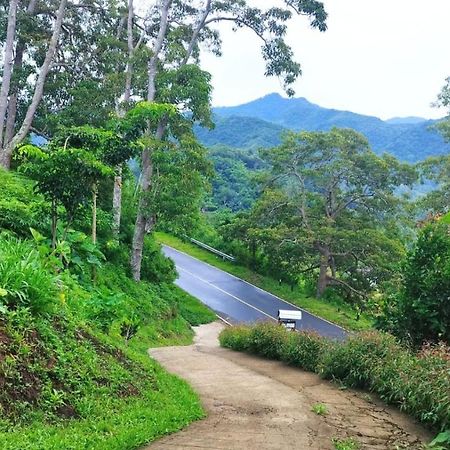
(179, 28)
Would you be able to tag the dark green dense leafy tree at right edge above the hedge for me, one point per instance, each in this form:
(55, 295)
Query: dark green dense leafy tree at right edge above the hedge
(421, 310)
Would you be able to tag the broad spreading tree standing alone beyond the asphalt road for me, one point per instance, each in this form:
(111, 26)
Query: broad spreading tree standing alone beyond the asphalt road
(331, 208)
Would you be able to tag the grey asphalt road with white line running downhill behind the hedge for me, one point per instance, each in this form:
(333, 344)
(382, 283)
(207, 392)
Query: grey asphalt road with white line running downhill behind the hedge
(237, 301)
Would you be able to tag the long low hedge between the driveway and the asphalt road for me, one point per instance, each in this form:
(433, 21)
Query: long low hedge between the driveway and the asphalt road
(418, 384)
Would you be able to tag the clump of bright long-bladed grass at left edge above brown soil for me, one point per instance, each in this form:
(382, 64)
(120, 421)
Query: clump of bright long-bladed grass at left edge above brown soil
(25, 281)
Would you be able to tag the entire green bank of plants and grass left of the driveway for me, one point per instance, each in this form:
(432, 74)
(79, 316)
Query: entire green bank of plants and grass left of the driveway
(74, 334)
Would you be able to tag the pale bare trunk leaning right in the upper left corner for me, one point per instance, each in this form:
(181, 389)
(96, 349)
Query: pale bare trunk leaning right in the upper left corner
(39, 88)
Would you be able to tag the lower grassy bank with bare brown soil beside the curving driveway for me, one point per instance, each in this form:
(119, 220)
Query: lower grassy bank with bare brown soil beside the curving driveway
(117, 396)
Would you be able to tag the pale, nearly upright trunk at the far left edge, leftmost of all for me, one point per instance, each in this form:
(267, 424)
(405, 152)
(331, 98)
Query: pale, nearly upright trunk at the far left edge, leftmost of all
(7, 62)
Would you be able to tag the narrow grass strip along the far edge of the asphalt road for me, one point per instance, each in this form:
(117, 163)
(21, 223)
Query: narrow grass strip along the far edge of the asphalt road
(337, 312)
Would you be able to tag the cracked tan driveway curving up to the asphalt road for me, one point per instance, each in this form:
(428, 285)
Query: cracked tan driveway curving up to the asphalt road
(254, 403)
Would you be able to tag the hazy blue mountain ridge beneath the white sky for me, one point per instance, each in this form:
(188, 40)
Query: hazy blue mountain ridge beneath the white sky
(261, 122)
